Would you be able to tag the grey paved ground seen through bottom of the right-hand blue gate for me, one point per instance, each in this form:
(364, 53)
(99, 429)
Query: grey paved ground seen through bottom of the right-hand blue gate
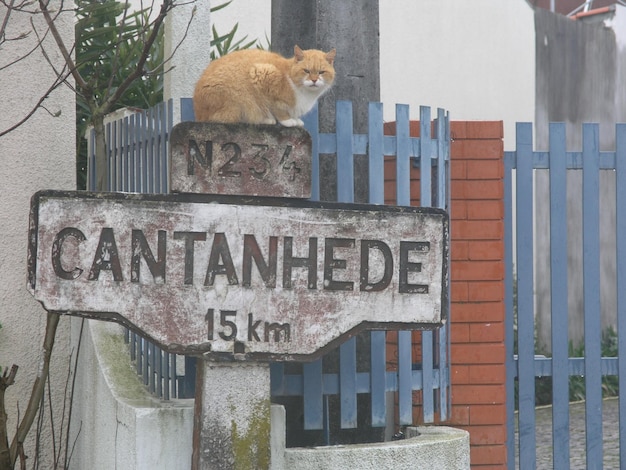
(610, 433)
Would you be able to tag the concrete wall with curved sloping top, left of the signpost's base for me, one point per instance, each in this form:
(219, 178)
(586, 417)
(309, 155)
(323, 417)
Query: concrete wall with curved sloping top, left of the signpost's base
(117, 423)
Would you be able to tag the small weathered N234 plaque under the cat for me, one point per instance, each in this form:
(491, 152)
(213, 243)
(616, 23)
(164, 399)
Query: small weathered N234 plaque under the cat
(242, 159)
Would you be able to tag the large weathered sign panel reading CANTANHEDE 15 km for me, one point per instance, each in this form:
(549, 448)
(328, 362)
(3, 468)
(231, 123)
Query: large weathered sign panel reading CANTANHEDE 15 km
(264, 278)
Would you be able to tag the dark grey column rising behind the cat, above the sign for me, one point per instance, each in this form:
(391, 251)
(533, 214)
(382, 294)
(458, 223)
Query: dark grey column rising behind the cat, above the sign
(352, 27)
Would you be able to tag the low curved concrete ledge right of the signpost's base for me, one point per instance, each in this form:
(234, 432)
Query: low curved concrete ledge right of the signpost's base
(437, 447)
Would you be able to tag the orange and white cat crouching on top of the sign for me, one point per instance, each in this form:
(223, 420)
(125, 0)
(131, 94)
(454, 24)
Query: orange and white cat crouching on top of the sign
(260, 87)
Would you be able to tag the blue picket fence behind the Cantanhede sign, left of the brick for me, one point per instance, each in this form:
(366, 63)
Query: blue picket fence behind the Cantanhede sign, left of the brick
(137, 150)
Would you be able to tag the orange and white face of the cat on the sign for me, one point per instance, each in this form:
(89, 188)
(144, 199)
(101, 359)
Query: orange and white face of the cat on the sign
(313, 70)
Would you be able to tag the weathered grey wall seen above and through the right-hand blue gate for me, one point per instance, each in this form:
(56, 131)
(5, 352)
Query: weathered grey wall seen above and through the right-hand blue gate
(580, 76)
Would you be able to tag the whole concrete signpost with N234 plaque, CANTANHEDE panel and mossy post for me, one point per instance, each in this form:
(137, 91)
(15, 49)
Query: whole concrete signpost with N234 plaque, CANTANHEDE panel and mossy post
(238, 279)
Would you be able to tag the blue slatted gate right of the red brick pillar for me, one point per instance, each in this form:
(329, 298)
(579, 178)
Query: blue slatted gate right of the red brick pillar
(524, 366)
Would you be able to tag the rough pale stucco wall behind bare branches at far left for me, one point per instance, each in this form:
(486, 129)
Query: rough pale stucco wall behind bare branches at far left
(38, 155)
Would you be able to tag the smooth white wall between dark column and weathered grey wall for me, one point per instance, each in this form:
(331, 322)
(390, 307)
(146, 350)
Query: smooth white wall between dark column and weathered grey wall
(475, 59)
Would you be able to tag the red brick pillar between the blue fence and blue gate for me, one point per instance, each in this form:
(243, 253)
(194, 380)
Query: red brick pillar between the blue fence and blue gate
(477, 285)
